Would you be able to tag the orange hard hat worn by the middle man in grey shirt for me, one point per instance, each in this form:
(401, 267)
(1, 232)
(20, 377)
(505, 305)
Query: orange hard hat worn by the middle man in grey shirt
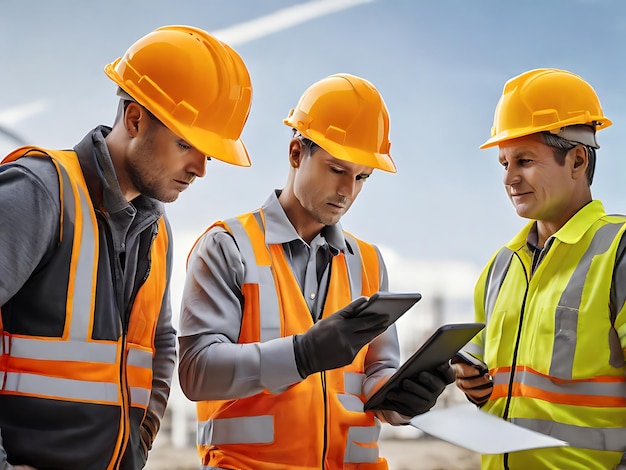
(346, 116)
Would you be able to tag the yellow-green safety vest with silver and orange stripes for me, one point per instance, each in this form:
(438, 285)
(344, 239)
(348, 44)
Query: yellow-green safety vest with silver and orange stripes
(551, 345)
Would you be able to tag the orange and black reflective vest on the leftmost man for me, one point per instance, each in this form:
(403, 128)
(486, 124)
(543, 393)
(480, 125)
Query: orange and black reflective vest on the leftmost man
(99, 389)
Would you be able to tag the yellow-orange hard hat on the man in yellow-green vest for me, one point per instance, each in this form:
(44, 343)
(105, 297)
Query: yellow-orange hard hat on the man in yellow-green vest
(545, 100)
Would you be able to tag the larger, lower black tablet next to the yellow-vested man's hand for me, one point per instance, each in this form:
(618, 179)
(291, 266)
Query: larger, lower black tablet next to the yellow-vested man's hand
(442, 345)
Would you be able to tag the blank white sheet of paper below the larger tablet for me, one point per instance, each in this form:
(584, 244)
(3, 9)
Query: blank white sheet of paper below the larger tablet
(467, 426)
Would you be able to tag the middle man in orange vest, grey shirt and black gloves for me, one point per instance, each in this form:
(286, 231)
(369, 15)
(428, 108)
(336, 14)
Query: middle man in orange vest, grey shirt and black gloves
(281, 378)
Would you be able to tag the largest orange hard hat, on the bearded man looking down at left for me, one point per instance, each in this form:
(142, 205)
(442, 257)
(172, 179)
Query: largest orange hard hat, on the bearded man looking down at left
(195, 84)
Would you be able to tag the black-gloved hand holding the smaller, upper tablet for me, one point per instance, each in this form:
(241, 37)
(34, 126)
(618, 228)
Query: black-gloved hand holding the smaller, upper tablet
(335, 340)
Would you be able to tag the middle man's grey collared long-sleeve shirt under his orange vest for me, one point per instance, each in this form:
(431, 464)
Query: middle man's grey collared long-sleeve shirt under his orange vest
(212, 364)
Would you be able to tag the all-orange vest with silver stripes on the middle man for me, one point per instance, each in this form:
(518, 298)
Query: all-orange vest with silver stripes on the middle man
(318, 423)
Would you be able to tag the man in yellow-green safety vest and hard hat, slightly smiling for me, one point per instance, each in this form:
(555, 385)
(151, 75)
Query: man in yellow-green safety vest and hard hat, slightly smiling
(553, 297)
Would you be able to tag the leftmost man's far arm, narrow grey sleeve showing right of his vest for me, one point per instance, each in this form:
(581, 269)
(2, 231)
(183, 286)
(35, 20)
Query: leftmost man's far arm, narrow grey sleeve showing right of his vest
(164, 361)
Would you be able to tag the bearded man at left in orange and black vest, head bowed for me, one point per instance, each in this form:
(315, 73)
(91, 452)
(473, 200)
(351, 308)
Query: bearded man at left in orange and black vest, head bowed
(88, 345)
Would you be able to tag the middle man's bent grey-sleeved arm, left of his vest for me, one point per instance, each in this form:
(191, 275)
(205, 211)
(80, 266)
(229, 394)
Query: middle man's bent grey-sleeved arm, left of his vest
(212, 364)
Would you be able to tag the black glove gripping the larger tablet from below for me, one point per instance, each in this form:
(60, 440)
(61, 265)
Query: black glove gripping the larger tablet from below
(417, 396)
